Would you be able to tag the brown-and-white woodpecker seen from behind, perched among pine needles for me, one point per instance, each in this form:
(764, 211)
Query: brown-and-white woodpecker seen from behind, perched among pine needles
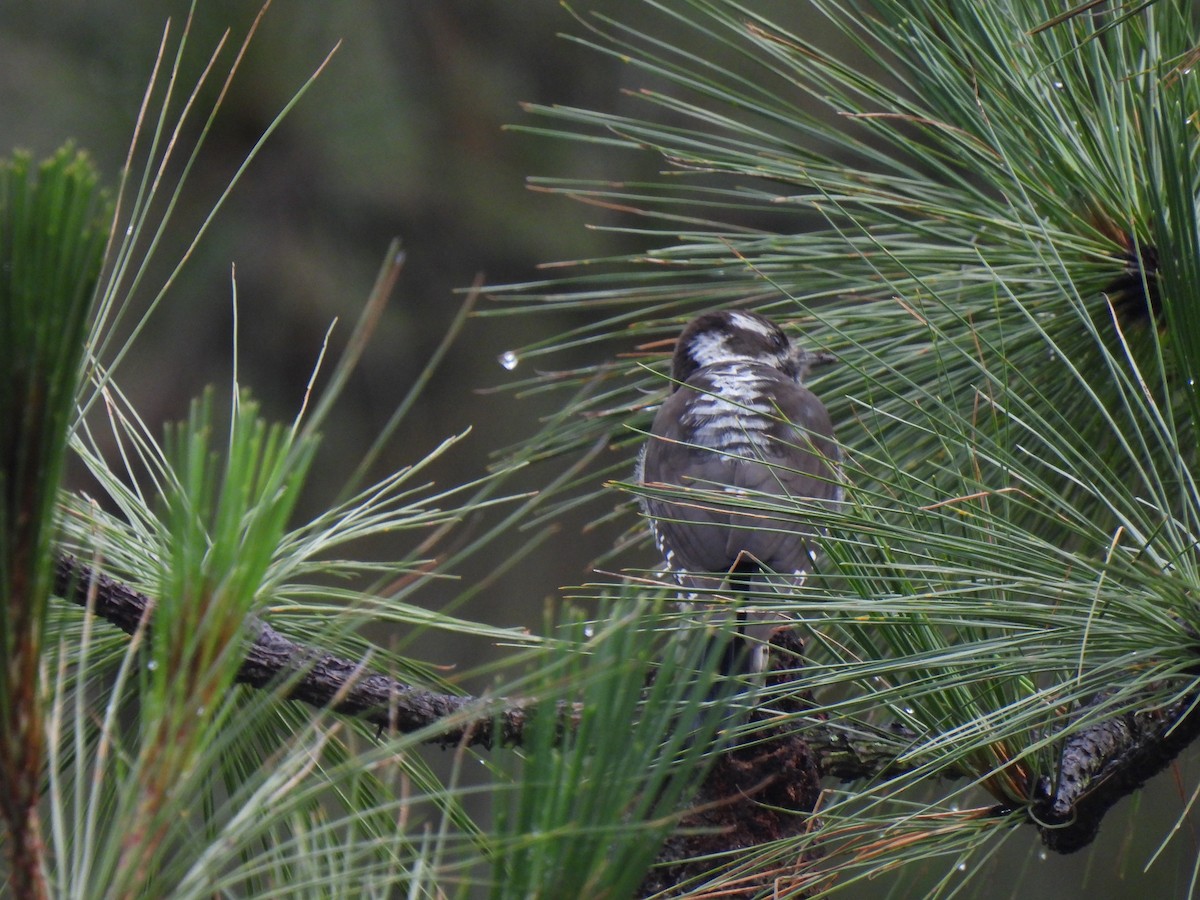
(739, 422)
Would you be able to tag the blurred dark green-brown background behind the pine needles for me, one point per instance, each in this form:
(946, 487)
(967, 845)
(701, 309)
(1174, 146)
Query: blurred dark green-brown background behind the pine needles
(403, 136)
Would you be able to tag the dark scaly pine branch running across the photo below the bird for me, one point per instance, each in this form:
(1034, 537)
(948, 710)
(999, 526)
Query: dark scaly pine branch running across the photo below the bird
(1099, 766)
